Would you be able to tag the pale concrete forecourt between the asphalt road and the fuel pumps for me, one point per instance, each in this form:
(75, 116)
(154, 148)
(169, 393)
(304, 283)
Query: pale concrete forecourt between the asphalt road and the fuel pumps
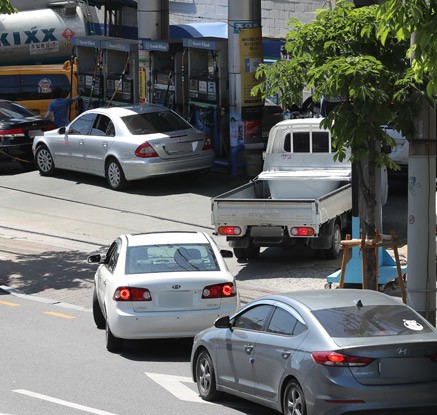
(51, 224)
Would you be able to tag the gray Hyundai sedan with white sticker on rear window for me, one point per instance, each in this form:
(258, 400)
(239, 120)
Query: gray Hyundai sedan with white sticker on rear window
(322, 352)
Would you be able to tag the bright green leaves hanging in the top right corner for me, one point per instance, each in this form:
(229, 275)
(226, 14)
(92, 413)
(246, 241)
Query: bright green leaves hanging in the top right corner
(403, 18)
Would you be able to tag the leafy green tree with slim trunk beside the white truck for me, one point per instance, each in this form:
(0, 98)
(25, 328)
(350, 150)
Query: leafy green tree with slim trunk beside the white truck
(339, 56)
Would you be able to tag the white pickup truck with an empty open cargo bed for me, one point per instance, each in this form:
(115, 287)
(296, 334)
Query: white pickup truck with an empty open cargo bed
(301, 196)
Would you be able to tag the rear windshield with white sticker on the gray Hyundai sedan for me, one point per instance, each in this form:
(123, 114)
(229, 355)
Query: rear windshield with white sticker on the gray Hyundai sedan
(371, 321)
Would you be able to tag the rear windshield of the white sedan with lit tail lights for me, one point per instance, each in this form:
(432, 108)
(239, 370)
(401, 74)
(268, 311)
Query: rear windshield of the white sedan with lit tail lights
(170, 258)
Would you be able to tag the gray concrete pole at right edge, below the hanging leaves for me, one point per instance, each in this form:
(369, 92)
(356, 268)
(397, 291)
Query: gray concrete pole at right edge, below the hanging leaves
(421, 281)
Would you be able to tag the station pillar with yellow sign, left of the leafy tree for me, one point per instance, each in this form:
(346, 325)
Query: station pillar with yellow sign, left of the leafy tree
(244, 54)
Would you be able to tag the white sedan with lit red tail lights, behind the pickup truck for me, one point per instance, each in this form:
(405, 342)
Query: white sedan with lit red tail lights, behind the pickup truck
(161, 285)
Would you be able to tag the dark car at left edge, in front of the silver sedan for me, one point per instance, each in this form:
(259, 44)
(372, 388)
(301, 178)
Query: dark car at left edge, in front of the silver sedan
(18, 127)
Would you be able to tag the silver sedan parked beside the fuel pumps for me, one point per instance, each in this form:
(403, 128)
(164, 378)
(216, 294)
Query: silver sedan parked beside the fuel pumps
(124, 144)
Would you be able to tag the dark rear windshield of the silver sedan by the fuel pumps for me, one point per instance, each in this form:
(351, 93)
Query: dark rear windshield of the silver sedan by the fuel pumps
(155, 122)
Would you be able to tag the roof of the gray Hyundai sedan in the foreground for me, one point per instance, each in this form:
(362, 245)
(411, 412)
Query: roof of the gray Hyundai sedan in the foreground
(319, 299)
